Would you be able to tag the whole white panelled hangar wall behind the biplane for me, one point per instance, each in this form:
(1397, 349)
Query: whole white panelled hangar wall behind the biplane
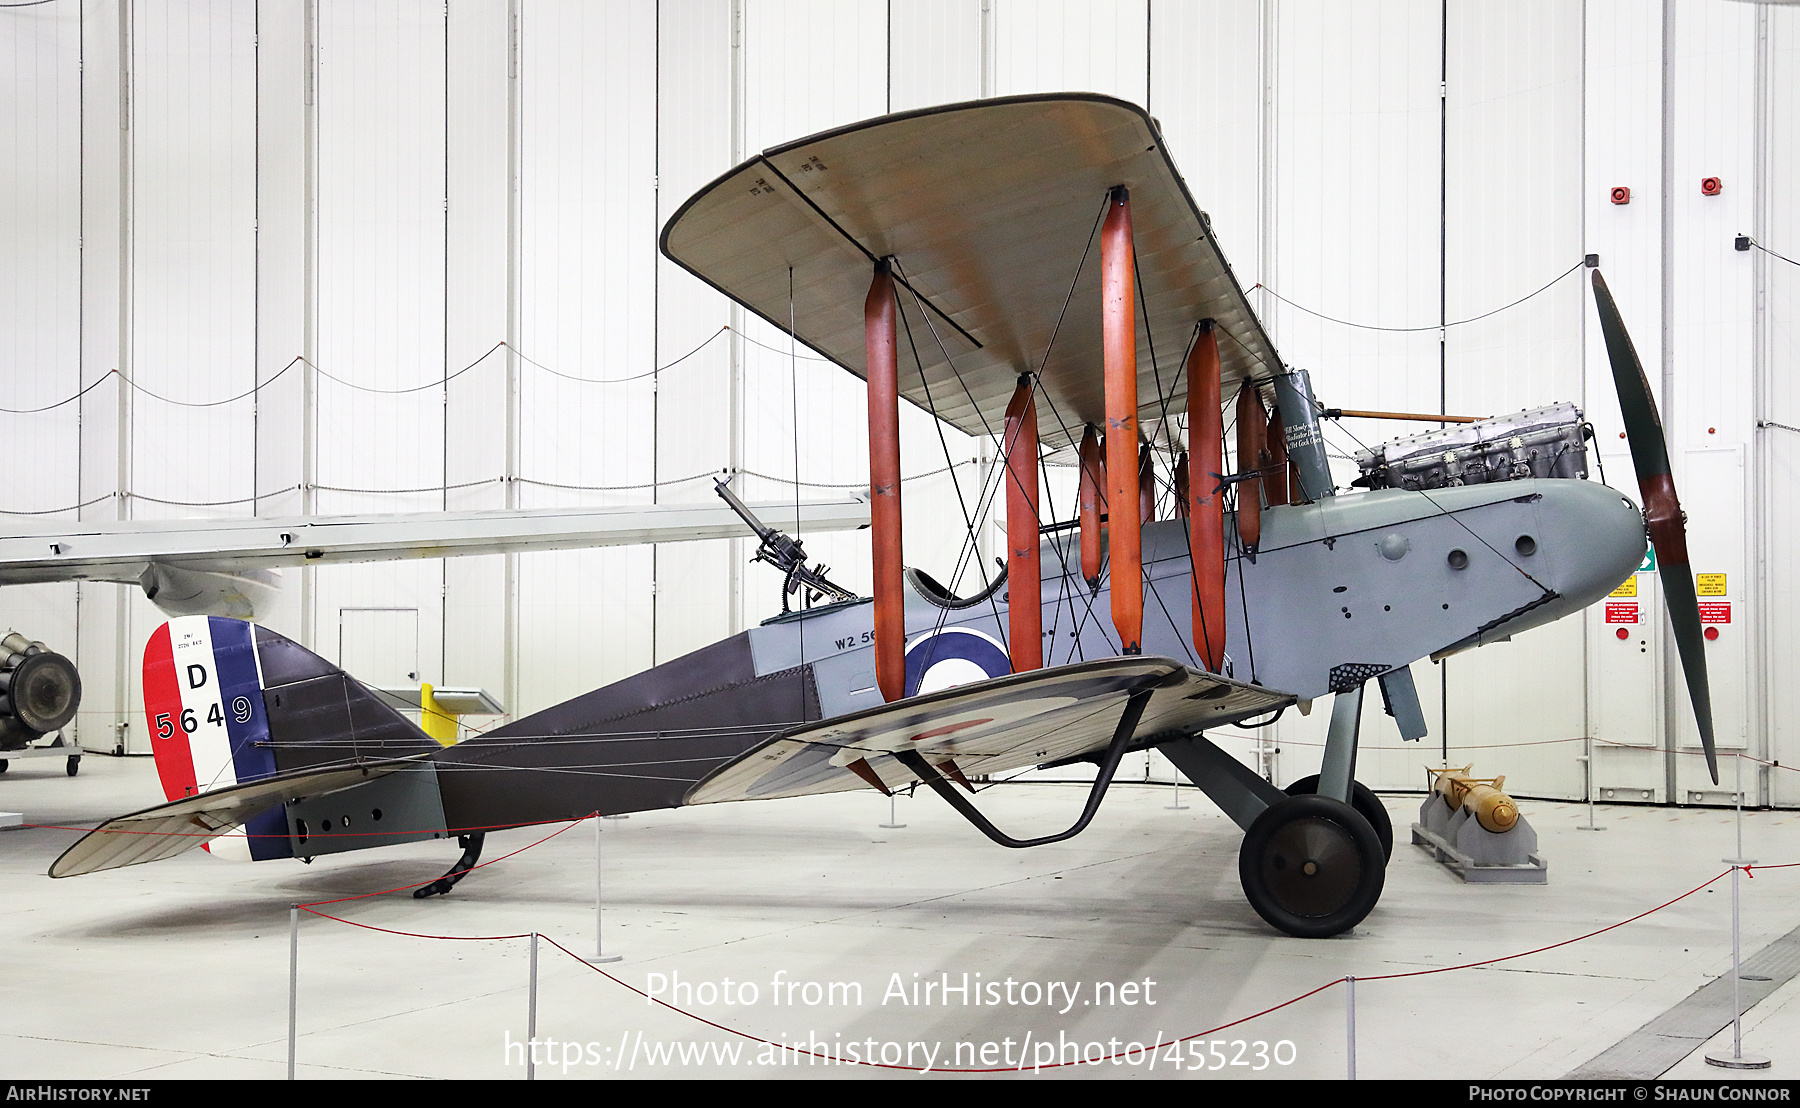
(199, 193)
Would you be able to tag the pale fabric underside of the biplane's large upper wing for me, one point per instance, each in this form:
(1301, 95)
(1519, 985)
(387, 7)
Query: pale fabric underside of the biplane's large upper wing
(989, 210)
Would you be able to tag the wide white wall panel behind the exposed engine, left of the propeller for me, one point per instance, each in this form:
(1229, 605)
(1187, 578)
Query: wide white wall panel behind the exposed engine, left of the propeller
(1513, 224)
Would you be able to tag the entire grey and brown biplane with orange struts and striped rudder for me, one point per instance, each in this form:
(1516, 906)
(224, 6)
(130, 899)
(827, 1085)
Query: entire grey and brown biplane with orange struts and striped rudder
(1016, 267)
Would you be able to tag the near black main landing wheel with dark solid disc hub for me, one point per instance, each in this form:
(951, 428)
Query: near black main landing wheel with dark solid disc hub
(1311, 866)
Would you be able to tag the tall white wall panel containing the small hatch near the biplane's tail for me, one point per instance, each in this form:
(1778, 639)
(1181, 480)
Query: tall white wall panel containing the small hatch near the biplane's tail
(381, 317)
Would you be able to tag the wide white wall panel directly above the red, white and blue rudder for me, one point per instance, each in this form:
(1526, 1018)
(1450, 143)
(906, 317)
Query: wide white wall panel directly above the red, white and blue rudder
(193, 258)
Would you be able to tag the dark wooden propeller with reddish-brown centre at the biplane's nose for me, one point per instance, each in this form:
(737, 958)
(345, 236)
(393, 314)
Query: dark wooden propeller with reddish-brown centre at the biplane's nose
(1662, 510)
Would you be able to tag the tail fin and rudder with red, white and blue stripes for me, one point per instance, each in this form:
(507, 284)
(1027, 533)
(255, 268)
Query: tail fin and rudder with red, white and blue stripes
(229, 704)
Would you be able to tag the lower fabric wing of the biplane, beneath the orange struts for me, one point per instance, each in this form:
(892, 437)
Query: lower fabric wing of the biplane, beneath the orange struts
(987, 728)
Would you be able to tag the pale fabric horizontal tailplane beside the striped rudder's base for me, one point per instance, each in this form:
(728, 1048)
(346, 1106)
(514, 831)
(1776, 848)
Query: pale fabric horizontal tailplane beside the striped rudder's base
(179, 827)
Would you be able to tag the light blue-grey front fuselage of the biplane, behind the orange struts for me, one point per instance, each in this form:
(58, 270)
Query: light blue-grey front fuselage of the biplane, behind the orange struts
(1353, 585)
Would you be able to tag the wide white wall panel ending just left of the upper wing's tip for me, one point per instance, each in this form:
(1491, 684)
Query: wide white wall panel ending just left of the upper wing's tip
(588, 323)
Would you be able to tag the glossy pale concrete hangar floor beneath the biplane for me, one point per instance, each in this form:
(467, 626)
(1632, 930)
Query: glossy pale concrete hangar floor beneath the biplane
(181, 969)
